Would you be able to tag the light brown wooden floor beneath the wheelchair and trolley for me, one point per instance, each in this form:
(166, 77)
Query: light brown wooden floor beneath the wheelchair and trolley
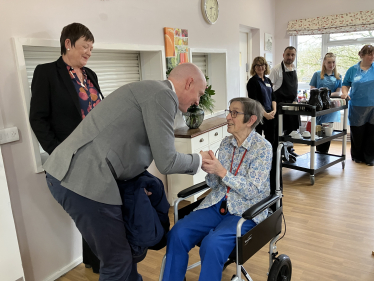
(330, 229)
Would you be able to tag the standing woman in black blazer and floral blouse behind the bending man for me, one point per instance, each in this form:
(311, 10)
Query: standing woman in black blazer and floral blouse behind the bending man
(63, 93)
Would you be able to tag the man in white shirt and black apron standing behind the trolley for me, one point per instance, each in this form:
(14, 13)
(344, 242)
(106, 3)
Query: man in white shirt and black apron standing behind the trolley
(284, 79)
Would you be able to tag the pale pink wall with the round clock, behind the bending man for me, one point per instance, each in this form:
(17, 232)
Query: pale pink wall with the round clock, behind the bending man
(47, 237)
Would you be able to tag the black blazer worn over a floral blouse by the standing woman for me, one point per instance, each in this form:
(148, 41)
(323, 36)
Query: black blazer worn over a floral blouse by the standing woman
(54, 108)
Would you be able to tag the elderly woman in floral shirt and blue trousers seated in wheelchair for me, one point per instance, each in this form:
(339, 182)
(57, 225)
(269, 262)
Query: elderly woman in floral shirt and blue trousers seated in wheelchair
(239, 179)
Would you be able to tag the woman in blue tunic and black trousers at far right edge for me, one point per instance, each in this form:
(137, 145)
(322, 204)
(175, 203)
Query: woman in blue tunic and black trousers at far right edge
(360, 78)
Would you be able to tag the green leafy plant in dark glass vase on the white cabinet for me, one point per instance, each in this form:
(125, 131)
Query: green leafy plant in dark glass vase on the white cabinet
(194, 116)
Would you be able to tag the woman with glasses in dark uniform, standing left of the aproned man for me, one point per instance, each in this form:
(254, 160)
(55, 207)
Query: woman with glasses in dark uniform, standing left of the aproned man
(260, 88)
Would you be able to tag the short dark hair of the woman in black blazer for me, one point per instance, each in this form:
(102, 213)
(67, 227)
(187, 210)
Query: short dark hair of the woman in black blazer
(74, 32)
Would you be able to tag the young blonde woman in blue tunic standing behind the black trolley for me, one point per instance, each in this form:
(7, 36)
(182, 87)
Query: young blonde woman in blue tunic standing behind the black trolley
(330, 78)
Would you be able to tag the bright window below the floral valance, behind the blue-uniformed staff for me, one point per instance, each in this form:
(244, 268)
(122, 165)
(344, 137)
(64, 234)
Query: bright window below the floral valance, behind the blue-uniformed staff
(312, 49)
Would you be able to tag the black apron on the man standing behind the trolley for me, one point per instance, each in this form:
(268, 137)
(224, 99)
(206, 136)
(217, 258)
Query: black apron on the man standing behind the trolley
(287, 93)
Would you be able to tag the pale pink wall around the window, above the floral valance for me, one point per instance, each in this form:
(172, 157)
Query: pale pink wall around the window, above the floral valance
(287, 10)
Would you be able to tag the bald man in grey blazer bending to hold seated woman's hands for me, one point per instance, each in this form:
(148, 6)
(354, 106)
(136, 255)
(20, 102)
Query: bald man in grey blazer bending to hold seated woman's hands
(117, 141)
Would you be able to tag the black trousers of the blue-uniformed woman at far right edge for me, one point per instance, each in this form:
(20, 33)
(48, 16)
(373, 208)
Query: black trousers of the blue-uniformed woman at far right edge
(362, 143)
